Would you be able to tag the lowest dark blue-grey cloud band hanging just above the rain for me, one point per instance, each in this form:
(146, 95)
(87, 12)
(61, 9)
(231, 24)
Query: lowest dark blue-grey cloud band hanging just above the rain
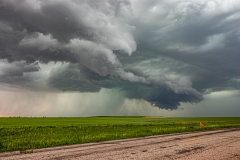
(73, 78)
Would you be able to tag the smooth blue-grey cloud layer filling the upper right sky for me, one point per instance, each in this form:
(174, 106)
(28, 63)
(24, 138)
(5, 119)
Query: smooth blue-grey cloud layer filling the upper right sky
(201, 38)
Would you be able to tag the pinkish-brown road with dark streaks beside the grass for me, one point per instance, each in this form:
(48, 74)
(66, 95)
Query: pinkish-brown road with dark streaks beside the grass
(221, 144)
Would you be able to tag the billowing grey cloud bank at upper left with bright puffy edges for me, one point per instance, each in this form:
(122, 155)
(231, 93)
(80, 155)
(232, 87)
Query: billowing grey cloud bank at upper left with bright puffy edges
(55, 30)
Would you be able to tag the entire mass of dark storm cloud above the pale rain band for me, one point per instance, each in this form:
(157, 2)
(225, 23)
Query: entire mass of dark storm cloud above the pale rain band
(165, 52)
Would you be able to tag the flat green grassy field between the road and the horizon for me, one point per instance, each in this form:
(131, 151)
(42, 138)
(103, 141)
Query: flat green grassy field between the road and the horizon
(30, 133)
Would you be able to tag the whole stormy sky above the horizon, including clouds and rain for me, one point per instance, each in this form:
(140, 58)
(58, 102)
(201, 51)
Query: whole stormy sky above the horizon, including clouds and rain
(119, 57)
